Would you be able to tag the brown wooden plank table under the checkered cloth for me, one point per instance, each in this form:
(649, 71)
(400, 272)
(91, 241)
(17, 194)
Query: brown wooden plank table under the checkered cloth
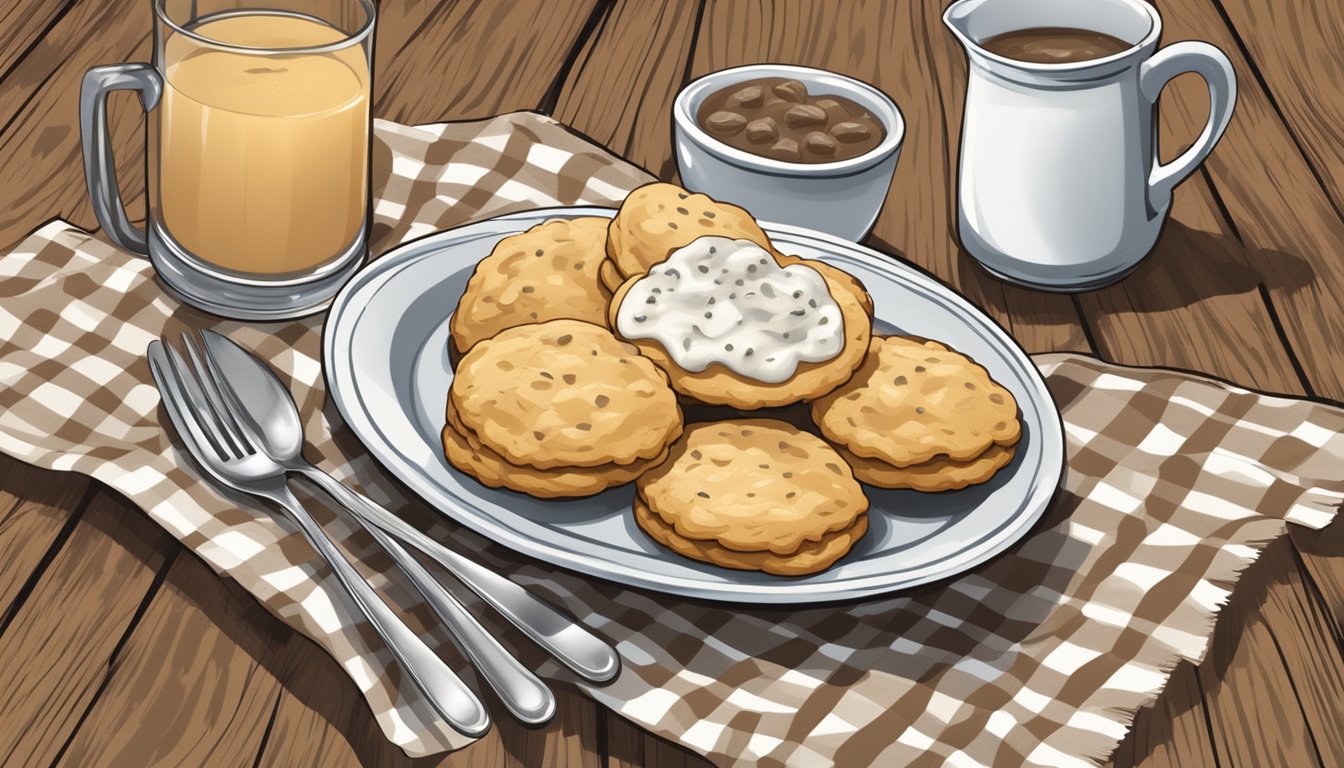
(120, 648)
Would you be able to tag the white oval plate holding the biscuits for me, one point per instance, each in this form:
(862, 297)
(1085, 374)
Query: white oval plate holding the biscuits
(385, 352)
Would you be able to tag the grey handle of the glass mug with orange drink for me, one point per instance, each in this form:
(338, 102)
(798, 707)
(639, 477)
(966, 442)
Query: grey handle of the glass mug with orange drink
(100, 167)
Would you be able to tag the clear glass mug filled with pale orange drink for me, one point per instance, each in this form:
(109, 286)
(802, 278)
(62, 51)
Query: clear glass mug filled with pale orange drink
(259, 161)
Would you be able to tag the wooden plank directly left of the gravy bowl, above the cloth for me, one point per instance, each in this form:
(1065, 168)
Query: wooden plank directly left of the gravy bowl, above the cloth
(624, 81)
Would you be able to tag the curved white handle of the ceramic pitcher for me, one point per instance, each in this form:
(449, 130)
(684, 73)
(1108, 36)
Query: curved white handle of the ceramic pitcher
(1210, 64)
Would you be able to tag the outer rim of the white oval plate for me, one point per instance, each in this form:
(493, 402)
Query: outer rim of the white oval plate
(343, 315)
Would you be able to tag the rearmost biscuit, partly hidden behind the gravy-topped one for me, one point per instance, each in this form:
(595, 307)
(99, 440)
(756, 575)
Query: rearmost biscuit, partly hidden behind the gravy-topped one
(659, 219)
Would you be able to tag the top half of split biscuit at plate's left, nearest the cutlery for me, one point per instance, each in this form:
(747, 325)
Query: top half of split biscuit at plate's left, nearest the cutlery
(565, 395)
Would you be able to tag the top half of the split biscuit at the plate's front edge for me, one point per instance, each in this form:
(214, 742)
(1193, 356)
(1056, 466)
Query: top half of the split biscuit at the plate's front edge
(756, 486)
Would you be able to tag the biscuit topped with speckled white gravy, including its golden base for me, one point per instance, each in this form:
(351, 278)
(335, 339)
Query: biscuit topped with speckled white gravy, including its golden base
(733, 326)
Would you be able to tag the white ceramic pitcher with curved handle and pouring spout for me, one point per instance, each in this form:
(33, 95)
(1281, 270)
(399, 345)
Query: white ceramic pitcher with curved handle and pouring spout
(1061, 186)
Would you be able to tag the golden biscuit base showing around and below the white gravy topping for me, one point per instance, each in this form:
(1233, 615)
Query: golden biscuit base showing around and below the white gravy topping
(718, 385)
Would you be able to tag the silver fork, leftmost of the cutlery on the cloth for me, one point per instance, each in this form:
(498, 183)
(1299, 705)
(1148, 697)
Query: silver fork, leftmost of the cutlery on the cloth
(228, 457)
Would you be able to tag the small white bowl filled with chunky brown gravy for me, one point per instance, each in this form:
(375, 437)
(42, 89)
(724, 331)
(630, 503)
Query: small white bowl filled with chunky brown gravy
(791, 145)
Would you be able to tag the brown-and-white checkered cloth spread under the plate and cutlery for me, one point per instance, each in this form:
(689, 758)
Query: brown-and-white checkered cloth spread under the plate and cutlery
(1040, 657)
